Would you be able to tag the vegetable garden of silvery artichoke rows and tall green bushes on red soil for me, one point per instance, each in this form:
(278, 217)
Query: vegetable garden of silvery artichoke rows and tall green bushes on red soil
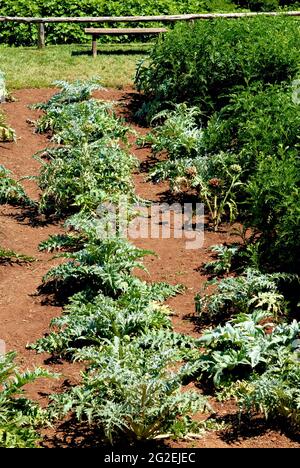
(222, 104)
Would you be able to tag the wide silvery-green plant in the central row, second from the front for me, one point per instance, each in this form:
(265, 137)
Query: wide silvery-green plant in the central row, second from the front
(90, 322)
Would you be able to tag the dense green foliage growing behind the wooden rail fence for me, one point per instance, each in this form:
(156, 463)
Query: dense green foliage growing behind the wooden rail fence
(72, 33)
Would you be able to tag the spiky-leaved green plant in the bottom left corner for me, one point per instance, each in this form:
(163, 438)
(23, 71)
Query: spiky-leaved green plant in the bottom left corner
(19, 417)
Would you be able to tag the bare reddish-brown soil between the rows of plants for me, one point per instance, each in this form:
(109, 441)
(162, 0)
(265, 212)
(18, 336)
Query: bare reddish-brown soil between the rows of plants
(25, 316)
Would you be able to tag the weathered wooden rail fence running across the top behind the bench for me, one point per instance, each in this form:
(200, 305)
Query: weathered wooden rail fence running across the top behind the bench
(132, 19)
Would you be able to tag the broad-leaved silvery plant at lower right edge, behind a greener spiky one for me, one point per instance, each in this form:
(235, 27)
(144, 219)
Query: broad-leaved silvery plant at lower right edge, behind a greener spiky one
(242, 348)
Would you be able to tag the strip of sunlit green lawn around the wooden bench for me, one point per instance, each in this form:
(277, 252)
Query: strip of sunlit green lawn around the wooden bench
(28, 67)
